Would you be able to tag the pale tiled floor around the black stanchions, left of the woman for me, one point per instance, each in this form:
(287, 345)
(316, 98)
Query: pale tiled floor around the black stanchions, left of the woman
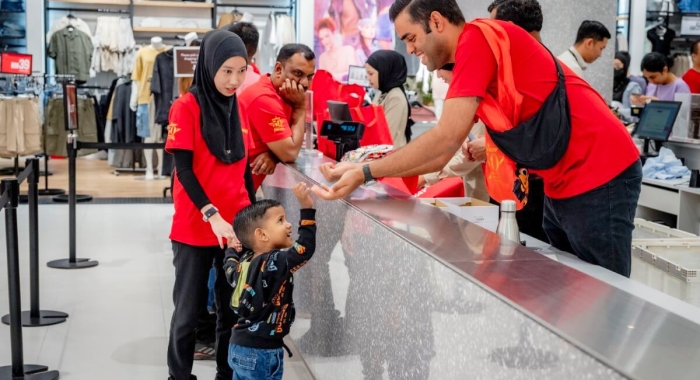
(120, 310)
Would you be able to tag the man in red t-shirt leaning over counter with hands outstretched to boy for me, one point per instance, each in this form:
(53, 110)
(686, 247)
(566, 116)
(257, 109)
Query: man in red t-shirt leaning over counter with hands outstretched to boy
(591, 192)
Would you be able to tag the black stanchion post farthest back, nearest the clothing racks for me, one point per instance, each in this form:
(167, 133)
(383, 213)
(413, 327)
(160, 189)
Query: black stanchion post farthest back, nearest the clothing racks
(72, 262)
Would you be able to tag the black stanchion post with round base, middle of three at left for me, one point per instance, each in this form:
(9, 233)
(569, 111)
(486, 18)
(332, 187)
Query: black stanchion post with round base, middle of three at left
(35, 316)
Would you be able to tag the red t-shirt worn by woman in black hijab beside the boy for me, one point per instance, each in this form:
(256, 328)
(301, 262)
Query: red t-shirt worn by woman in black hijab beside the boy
(224, 184)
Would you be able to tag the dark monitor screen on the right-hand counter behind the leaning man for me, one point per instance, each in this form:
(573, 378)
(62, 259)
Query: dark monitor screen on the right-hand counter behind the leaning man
(657, 120)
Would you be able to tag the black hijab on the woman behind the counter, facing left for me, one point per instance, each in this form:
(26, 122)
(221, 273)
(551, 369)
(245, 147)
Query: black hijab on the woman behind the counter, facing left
(392, 70)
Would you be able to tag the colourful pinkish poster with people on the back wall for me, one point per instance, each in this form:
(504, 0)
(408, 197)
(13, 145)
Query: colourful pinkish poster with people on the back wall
(348, 31)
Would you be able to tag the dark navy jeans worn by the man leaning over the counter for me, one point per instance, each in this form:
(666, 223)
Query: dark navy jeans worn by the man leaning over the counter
(597, 226)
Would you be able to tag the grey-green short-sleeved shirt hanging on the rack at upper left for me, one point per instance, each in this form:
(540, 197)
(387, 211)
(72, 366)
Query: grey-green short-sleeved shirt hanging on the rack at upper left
(72, 50)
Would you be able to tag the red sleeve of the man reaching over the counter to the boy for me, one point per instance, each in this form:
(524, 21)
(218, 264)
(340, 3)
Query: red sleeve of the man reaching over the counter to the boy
(475, 65)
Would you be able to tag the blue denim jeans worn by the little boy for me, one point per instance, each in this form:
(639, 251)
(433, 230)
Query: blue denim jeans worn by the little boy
(256, 364)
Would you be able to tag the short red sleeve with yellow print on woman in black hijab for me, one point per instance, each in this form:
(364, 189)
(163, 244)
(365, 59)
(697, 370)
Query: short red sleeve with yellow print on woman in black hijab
(182, 125)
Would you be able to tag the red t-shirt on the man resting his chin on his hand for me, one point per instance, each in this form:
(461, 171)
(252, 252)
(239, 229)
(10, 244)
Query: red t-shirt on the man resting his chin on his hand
(269, 118)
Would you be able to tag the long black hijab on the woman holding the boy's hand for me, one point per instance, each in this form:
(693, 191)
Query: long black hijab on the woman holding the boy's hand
(221, 126)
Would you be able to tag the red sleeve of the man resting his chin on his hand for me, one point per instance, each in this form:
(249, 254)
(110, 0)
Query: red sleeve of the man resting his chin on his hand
(268, 118)
